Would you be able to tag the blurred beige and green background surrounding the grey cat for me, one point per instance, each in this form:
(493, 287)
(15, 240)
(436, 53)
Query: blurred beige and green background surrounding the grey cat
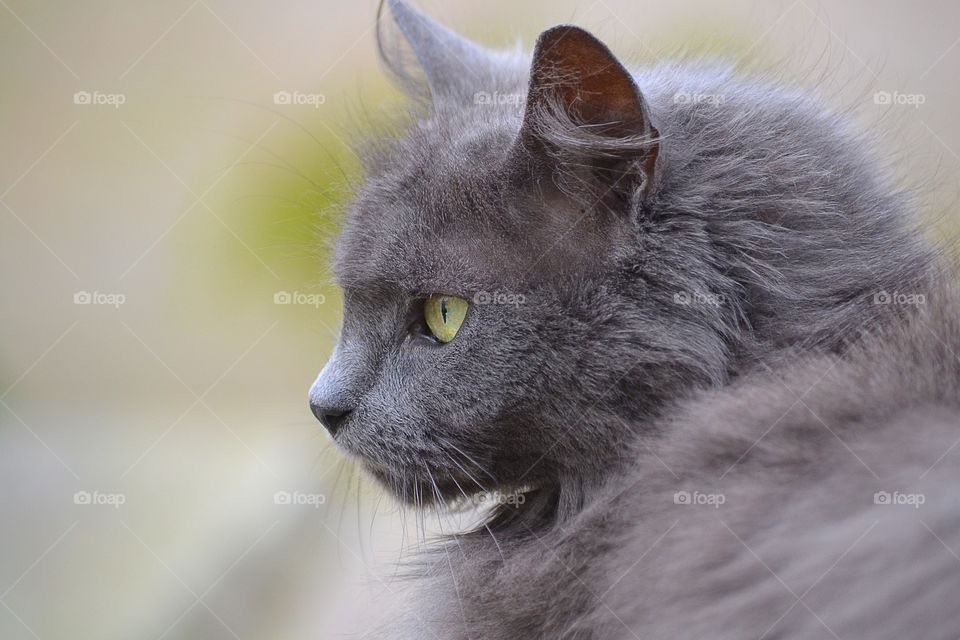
(170, 174)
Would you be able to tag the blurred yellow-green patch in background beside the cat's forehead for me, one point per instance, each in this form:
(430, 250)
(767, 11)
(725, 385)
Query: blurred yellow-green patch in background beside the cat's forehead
(279, 210)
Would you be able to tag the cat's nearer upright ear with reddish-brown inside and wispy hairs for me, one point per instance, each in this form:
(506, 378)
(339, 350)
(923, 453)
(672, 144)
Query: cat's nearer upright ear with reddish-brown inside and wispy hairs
(586, 121)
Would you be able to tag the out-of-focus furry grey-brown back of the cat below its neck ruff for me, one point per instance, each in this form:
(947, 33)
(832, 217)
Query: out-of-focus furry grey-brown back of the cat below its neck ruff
(815, 500)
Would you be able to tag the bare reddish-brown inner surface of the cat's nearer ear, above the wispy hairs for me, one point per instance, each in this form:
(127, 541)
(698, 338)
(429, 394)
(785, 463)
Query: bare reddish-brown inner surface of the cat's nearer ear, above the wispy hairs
(589, 81)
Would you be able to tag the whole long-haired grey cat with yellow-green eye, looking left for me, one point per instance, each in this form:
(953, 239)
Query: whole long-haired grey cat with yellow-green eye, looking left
(682, 317)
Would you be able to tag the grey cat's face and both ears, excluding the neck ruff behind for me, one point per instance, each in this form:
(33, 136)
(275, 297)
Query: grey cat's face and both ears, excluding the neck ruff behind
(526, 194)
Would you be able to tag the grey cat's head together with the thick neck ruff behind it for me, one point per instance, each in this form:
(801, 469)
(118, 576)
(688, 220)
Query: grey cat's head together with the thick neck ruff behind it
(550, 253)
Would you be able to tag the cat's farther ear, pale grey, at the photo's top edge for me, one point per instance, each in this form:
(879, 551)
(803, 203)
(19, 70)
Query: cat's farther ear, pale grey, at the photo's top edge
(446, 66)
